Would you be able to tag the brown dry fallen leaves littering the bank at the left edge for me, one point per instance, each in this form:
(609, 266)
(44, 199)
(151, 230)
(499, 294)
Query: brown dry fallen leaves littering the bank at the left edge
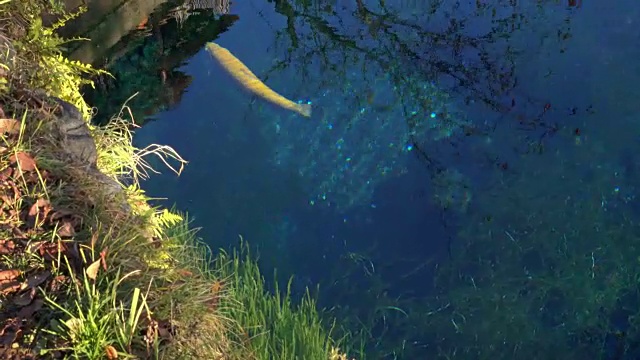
(31, 227)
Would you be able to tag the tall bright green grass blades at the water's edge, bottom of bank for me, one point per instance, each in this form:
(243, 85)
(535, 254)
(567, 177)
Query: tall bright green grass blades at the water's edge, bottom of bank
(271, 325)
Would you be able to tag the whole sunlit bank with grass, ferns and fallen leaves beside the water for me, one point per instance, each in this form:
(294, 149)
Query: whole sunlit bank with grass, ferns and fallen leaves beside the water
(87, 268)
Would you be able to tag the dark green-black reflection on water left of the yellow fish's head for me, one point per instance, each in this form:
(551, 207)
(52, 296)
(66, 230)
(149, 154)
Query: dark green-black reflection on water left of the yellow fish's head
(145, 61)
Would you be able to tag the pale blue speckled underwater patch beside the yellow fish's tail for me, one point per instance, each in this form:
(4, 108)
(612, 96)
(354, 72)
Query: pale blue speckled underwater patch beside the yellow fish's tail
(365, 130)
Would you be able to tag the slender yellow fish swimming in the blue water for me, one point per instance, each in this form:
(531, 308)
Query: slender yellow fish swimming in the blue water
(251, 82)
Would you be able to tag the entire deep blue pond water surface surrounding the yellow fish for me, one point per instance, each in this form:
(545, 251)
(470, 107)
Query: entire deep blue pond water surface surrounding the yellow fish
(466, 186)
